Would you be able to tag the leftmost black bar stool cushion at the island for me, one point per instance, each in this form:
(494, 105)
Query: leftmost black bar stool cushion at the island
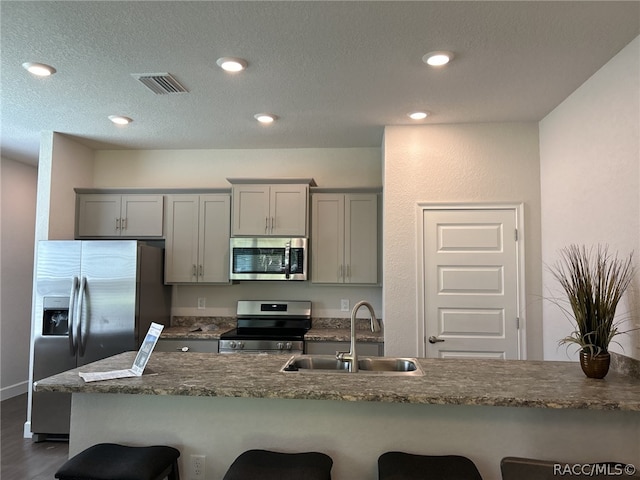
(110, 461)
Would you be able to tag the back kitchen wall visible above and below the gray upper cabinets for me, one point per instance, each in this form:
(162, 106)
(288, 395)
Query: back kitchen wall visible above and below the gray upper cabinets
(329, 167)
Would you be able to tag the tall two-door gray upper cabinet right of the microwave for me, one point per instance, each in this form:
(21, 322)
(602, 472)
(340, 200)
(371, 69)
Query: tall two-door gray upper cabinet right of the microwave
(344, 238)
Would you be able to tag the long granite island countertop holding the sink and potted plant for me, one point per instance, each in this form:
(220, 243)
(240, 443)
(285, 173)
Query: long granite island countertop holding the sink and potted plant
(511, 383)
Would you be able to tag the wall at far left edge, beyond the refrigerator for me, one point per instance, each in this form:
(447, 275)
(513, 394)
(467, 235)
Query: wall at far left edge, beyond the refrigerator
(17, 224)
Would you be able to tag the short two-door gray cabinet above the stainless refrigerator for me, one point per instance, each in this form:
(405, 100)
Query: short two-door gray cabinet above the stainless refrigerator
(109, 215)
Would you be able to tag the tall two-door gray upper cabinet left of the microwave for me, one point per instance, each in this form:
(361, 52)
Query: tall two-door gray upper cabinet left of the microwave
(197, 238)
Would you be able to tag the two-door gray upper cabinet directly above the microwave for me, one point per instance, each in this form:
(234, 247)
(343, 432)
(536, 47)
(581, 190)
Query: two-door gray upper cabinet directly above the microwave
(278, 210)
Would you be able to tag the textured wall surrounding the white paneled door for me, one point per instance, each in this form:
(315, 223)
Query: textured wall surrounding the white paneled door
(454, 163)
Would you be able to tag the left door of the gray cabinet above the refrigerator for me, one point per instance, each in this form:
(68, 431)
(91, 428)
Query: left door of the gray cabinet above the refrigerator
(98, 215)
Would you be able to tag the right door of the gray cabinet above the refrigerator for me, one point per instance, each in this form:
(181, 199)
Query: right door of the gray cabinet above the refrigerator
(141, 216)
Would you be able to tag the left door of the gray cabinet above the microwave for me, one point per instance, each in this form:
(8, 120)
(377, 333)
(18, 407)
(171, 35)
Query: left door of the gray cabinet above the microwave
(251, 210)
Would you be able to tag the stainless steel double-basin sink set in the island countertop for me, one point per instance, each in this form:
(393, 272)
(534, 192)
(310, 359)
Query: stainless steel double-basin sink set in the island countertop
(366, 365)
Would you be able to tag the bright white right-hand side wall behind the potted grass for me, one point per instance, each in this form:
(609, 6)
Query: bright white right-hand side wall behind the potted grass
(590, 182)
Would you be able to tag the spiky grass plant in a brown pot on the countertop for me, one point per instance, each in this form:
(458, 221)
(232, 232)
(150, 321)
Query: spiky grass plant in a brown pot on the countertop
(594, 281)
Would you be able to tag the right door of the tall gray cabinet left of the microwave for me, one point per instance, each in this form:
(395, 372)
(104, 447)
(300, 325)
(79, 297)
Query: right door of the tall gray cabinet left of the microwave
(213, 263)
